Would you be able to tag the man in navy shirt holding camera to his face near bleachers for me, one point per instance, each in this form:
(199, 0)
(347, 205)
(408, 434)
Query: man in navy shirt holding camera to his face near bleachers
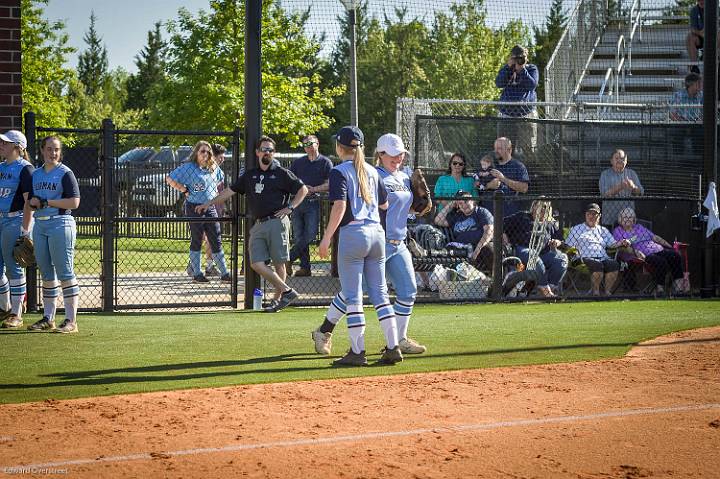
(519, 80)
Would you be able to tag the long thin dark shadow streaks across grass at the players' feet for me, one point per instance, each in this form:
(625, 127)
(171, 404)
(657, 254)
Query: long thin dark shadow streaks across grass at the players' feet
(106, 376)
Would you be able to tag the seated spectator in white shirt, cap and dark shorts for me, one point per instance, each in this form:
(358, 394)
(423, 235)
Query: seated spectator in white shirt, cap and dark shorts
(590, 239)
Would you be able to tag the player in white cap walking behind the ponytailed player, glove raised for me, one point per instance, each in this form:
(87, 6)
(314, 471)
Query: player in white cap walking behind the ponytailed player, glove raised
(389, 156)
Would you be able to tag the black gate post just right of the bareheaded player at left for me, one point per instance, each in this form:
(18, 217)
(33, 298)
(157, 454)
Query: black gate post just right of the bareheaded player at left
(107, 159)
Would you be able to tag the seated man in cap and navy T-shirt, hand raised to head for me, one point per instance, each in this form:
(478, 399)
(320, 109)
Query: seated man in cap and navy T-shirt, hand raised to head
(470, 224)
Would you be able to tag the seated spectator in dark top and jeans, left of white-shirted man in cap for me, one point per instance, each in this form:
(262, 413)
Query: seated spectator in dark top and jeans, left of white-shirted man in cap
(553, 262)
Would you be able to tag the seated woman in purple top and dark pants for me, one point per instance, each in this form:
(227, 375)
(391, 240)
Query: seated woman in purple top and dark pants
(652, 249)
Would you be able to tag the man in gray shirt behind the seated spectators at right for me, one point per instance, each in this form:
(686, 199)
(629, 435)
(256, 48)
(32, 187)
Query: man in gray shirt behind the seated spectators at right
(618, 182)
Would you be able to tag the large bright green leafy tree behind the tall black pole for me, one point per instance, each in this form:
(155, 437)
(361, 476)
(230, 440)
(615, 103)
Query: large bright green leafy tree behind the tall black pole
(204, 87)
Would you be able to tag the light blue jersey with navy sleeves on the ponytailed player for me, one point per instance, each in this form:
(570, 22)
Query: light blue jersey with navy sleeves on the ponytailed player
(345, 186)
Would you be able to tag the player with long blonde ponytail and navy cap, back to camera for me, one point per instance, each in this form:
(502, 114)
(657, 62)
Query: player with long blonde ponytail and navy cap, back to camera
(357, 194)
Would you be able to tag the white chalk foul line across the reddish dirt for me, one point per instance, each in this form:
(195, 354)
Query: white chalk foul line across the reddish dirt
(370, 435)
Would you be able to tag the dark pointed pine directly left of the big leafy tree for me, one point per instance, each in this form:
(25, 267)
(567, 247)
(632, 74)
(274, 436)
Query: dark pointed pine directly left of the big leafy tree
(150, 63)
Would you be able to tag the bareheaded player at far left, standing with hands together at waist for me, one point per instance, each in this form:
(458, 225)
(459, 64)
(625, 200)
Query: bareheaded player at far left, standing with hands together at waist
(54, 194)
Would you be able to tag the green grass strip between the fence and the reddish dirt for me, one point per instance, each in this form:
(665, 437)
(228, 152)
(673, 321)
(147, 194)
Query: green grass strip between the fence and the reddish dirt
(130, 353)
